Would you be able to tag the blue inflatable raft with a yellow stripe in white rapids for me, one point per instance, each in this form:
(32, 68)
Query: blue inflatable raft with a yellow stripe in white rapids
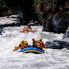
(32, 50)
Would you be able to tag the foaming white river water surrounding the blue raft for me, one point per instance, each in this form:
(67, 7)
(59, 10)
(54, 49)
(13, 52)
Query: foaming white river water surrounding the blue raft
(53, 59)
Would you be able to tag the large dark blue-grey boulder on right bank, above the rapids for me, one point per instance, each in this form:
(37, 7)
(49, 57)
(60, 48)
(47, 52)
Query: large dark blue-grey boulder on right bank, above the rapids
(59, 24)
